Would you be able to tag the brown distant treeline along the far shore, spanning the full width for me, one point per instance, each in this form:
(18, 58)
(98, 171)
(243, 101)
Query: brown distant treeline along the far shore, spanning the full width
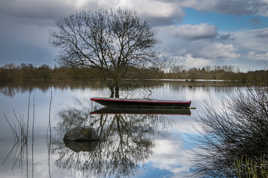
(10, 73)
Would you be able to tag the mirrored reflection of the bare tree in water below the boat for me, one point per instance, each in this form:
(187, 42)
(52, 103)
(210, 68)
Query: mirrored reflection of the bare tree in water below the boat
(124, 142)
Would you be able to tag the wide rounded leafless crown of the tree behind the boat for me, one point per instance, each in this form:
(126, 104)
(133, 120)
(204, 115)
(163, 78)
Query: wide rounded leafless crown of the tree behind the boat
(109, 40)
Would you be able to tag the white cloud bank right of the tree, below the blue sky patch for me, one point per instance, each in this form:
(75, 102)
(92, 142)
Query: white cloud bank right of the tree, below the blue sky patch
(246, 49)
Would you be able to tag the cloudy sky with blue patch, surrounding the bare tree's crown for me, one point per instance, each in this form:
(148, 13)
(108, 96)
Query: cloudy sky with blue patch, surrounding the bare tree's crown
(193, 33)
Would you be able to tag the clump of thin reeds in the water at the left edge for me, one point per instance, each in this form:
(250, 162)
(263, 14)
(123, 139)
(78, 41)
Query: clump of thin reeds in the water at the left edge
(23, 137)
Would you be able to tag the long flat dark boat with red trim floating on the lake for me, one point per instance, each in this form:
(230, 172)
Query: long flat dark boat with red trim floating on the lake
(142, 103)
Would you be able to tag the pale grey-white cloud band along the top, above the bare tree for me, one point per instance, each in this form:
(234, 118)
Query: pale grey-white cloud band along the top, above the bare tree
(52, 10)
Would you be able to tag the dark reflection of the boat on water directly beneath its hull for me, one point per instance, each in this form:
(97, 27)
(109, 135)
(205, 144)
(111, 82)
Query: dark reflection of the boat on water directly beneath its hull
(113, 110)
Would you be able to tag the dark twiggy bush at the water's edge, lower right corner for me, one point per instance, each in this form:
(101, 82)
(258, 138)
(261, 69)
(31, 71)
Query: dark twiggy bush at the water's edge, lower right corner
(236, 144)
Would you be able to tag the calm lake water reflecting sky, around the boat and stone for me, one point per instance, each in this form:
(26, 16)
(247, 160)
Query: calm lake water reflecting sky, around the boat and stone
(132, 145)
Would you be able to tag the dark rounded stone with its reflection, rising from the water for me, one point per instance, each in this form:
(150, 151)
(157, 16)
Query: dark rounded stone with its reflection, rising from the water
(81, 139)
